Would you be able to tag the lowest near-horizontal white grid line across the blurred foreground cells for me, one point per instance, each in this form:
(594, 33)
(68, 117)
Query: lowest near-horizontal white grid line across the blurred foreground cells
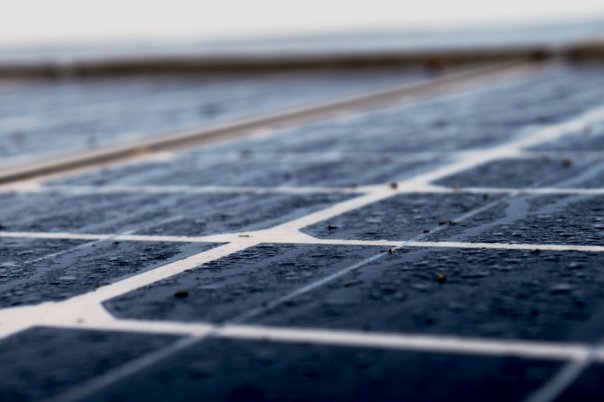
(398, 341)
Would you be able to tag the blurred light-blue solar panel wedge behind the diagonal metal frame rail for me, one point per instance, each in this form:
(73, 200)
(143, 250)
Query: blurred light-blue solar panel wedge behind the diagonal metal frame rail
(56, 117)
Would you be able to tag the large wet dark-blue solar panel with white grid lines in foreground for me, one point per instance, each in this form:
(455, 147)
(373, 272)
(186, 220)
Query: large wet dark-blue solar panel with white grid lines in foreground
(450, 247)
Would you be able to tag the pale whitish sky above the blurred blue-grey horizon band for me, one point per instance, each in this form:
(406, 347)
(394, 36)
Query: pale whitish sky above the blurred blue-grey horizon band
(52, 21)
